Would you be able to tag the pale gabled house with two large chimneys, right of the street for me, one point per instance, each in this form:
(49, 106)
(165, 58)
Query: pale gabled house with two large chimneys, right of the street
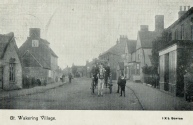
(138, 54)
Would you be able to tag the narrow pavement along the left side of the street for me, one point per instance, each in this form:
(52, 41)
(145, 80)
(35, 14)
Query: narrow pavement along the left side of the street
(23, 92)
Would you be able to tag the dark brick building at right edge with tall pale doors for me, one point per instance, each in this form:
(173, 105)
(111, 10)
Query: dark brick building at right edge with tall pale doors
(177, 55)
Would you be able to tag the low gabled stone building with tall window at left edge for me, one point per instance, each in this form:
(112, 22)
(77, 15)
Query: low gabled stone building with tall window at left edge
(10, 65)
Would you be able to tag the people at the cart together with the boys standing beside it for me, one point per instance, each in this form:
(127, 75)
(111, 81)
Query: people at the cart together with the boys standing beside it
(101, 75)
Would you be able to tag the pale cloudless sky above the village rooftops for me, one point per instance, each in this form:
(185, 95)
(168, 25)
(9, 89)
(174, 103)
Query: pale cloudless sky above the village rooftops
(80, 30)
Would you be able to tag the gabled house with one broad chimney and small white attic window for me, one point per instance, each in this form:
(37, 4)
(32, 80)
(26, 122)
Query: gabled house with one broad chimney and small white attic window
(38, 59)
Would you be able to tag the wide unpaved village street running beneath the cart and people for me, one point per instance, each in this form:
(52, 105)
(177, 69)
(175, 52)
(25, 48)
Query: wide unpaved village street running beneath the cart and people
(74, 96)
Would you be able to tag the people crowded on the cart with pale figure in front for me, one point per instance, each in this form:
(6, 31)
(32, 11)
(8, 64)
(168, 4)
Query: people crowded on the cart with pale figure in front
(100, 75)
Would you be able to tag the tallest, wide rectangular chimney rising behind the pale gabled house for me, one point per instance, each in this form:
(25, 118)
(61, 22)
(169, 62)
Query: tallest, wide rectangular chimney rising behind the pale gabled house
(159, 23)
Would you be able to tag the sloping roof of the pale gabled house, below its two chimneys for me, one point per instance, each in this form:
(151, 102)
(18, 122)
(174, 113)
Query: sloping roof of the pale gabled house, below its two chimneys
(146, 38)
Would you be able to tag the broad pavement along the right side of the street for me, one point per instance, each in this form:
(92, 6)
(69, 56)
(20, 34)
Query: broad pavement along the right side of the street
(155, 99)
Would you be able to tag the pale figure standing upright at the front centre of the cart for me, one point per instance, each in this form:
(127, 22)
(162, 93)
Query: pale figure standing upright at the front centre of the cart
(101, 76)
